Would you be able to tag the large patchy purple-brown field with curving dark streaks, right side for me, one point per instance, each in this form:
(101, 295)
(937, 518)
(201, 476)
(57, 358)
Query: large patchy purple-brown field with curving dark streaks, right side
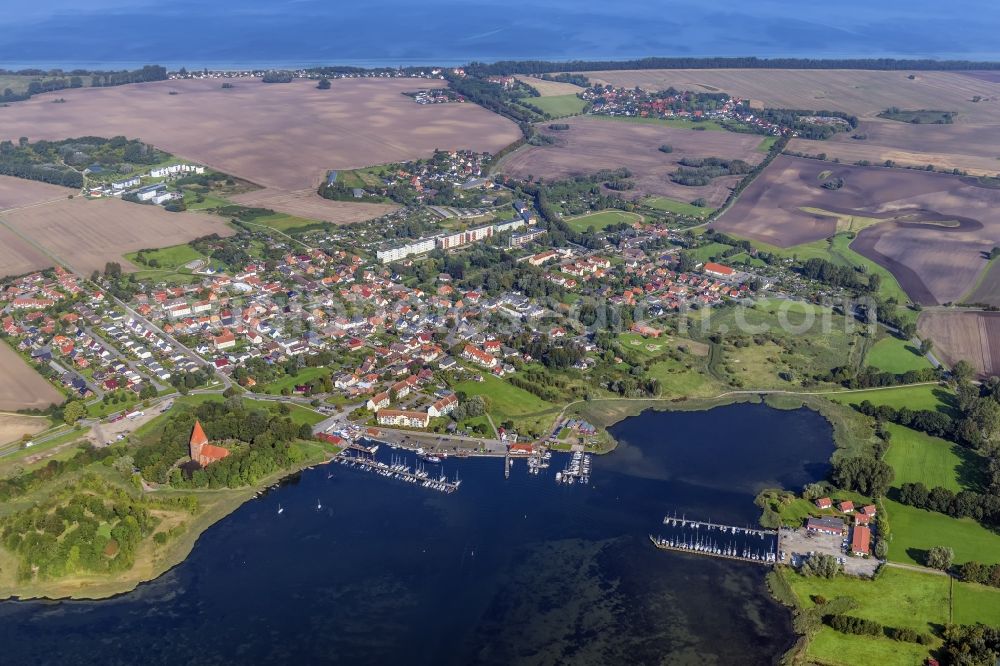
(934, 238)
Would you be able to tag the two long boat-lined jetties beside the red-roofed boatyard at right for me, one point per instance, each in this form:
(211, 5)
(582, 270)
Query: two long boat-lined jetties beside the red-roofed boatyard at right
(744, 544)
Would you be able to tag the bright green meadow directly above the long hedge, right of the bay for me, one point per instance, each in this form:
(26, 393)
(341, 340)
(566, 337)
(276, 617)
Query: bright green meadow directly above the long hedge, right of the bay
(920, 458)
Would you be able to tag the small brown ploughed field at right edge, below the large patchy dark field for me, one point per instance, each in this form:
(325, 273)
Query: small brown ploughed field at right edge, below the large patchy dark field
(972, 336)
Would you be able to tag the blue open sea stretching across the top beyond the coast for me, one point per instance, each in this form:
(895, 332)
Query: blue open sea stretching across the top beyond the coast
(234, 33)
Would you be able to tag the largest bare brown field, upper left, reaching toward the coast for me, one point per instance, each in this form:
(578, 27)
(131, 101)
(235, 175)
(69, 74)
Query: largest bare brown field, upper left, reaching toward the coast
(283, 136)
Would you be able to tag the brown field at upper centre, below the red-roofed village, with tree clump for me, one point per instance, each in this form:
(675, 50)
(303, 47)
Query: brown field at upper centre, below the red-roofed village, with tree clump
(592, 144)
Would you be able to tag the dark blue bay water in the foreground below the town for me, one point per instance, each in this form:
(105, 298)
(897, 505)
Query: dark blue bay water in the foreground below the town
(501, 572)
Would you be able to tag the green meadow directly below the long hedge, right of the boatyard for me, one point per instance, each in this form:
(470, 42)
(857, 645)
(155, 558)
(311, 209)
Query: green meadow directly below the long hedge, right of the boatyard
(915, 531)
